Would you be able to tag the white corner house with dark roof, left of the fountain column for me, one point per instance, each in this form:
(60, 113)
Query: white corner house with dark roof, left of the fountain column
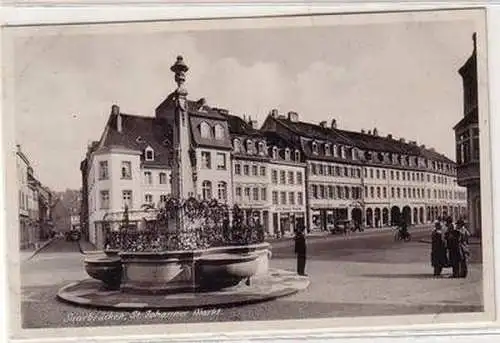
(129, 167)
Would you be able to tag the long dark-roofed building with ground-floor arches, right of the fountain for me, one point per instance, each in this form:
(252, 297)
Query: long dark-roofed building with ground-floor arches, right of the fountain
(370, 179)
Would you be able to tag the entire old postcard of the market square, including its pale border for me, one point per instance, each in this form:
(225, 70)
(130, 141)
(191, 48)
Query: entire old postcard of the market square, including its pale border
(329, 168)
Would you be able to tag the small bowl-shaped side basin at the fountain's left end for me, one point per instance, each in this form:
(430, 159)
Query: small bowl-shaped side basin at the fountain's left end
(107, 269)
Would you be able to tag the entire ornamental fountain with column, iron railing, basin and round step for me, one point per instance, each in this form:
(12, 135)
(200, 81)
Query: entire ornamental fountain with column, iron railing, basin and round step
(197, 253)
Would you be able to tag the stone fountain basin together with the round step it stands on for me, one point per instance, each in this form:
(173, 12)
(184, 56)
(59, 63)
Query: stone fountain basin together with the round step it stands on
(181, 280)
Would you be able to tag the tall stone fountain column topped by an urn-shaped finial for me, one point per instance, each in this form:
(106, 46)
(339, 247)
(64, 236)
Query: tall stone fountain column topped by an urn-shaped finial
(182, 181)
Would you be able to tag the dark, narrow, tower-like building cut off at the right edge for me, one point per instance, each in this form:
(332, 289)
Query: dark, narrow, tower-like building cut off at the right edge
(467, 143)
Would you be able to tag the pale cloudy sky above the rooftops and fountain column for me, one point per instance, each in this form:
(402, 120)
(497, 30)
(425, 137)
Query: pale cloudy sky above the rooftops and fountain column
(401, 78)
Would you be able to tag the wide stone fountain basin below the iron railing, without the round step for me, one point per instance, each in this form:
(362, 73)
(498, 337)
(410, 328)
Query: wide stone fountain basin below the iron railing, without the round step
(180, 271)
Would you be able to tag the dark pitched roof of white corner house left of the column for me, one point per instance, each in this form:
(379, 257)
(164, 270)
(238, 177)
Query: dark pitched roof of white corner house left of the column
(139, 132)
